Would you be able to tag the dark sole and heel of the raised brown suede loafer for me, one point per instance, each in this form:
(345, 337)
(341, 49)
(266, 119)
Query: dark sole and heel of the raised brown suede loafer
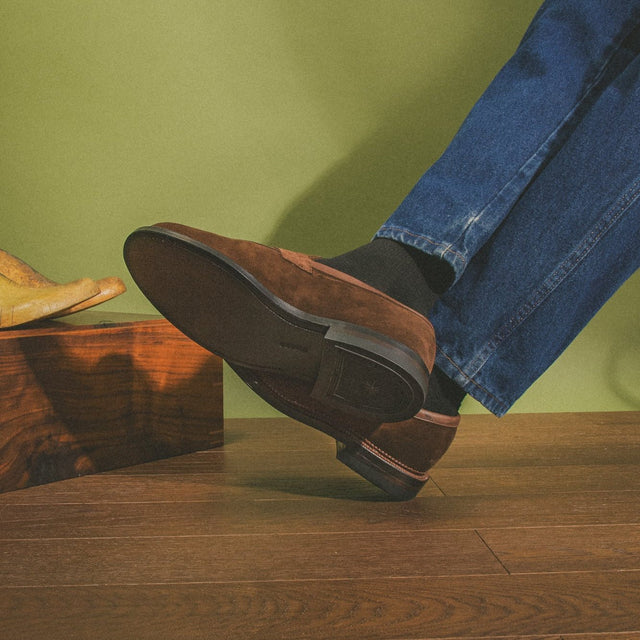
(222, 307)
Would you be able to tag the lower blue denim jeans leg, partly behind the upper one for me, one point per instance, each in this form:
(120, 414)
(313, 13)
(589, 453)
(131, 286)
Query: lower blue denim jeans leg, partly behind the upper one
(571, 239)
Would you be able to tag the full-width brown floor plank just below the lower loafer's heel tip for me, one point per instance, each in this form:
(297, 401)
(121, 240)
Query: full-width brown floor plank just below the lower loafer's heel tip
(315, 515)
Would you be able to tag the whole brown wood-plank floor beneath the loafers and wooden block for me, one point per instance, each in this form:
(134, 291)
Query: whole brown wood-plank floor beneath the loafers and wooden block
(530, 528)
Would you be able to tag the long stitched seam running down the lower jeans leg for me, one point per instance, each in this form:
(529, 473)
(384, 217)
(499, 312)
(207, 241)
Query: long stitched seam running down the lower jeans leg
(560, 273)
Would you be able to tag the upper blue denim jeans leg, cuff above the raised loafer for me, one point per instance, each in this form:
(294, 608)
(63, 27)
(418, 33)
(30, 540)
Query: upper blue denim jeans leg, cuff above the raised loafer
(567, 57)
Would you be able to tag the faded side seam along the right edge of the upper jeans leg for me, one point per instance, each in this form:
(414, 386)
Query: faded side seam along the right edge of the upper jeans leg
(525, 171)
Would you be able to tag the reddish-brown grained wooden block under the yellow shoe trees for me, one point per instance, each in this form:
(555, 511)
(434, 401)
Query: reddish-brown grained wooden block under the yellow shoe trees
(99, 391)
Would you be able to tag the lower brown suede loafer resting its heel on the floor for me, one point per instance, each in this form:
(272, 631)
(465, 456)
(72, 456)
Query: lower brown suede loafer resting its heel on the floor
(393, 456)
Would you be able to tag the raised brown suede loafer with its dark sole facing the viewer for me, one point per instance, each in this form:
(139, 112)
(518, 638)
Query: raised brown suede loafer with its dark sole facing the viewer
(280, 312)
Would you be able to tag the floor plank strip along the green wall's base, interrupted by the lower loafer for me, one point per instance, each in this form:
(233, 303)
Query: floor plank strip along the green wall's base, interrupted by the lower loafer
(534, 439)
